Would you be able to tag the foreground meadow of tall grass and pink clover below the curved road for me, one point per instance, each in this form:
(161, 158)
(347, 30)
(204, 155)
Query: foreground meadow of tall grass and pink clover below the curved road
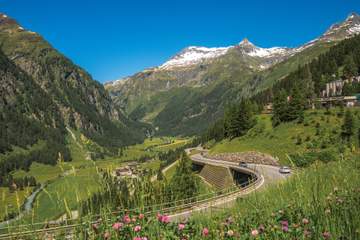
(322, 202)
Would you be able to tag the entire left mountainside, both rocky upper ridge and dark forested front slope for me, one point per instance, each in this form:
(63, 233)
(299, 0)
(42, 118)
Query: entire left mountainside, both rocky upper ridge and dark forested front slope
(42, 93)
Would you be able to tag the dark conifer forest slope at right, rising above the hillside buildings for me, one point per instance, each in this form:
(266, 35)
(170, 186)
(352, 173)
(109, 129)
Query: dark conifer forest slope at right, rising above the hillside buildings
(340, 62)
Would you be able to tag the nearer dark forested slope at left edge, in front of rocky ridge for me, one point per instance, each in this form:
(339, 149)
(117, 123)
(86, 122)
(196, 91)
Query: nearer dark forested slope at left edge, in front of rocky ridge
(31, 127)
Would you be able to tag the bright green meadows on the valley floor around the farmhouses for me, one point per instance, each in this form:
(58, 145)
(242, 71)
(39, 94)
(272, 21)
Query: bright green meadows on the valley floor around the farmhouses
(76, 186)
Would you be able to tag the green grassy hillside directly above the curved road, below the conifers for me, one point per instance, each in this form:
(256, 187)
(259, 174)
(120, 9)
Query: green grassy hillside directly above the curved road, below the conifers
(281, 141)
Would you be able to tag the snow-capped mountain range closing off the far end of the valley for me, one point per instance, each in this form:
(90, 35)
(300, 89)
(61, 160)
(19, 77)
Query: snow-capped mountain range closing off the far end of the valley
(183, 95)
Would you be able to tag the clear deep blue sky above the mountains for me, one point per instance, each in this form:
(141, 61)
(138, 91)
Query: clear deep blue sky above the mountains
(113, 39)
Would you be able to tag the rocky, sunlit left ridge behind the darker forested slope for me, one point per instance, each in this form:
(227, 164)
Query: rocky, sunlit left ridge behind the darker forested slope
(81, 102)
